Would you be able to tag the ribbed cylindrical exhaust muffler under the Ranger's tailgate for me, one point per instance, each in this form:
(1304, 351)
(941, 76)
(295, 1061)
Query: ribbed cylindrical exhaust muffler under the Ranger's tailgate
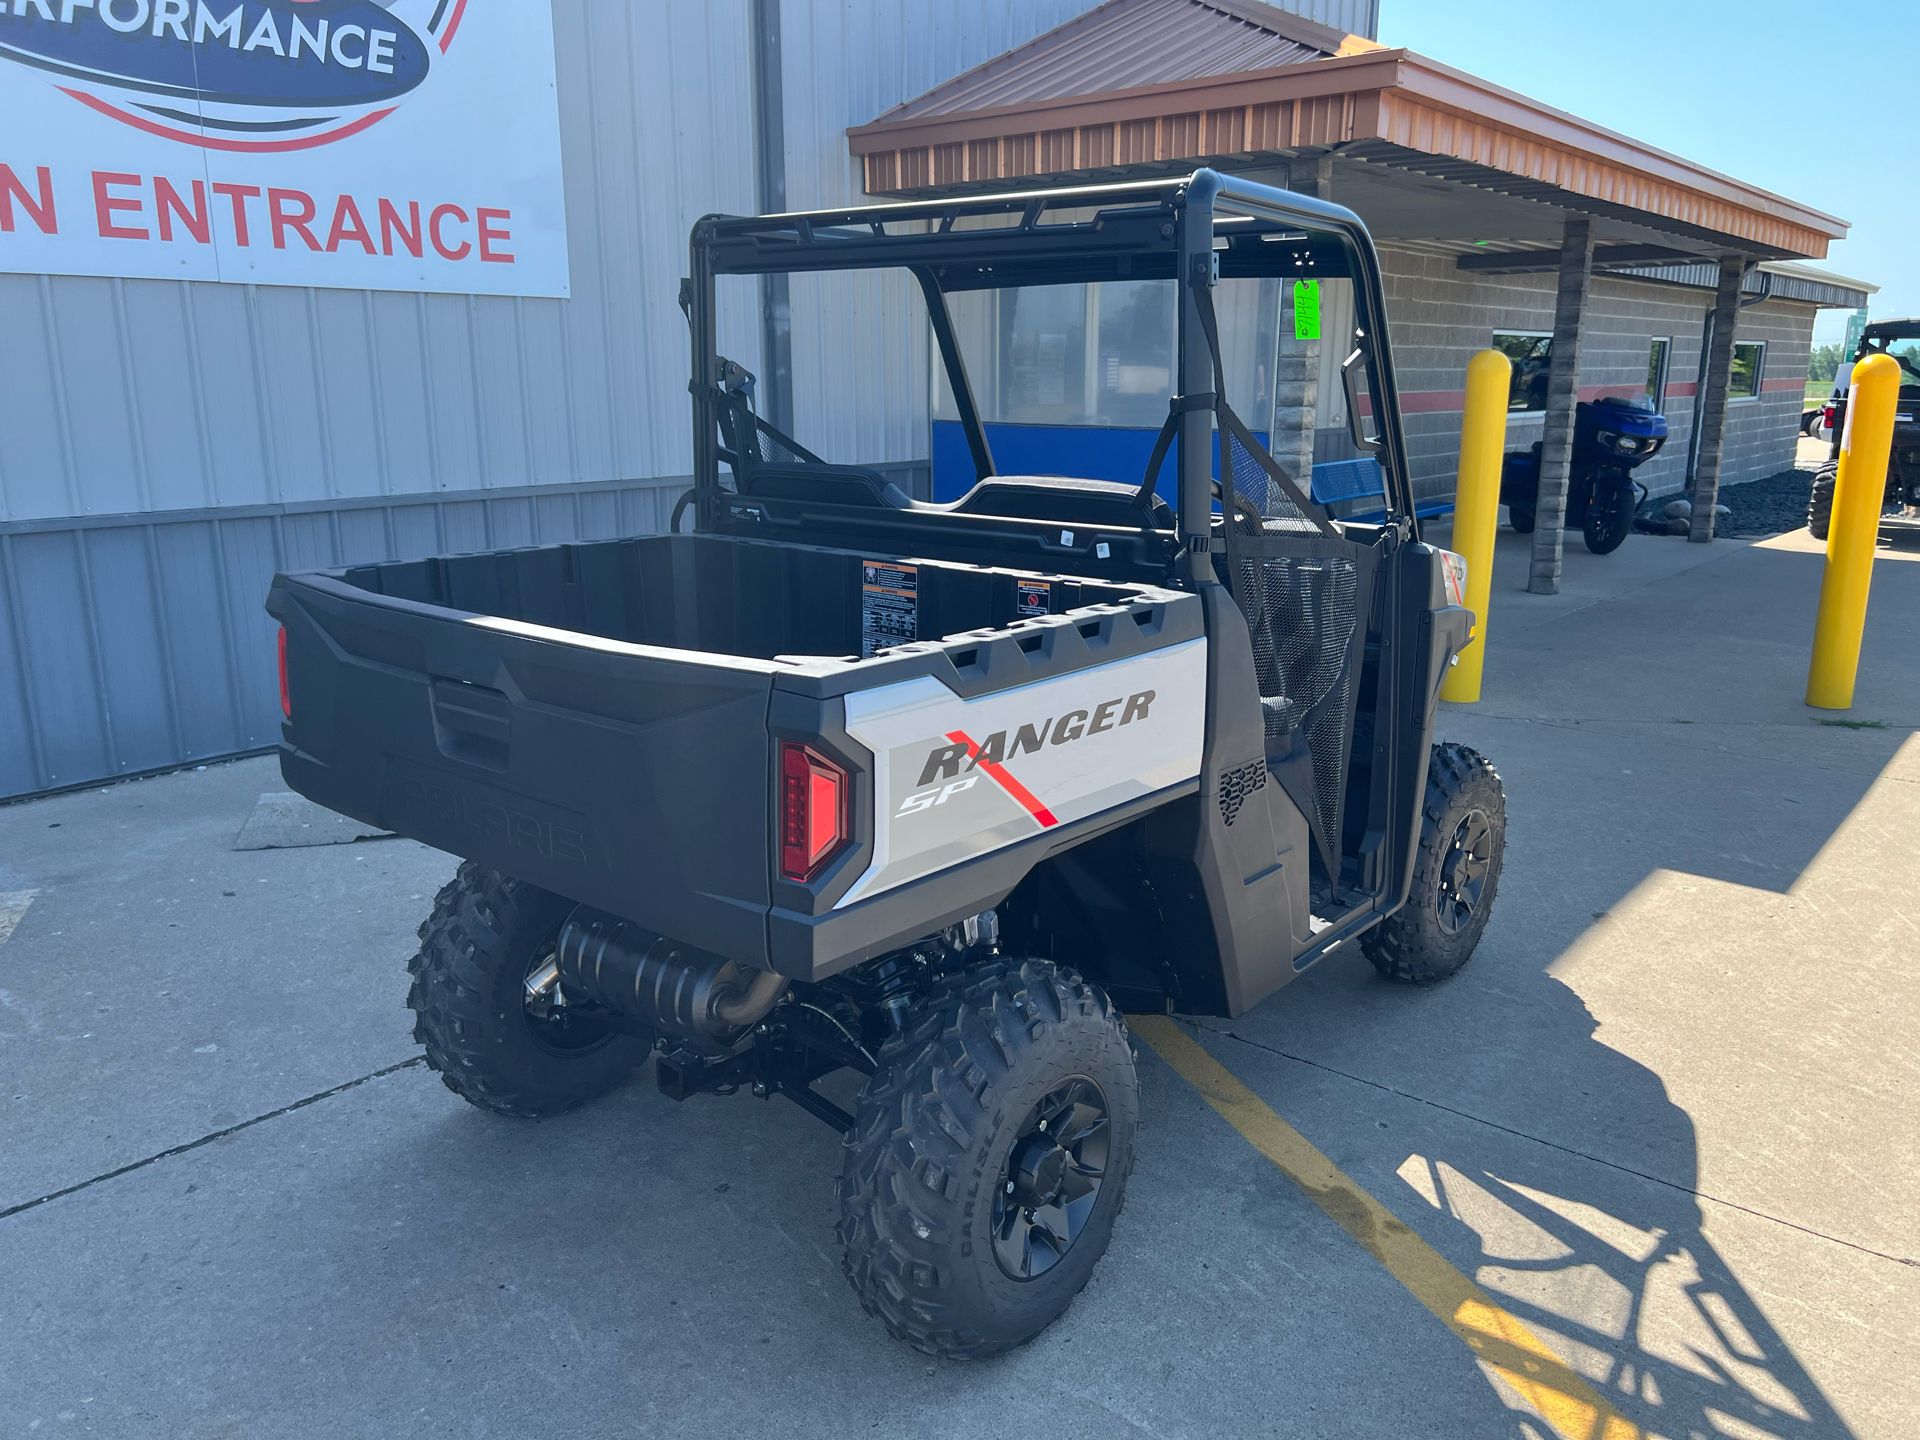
(675, 990)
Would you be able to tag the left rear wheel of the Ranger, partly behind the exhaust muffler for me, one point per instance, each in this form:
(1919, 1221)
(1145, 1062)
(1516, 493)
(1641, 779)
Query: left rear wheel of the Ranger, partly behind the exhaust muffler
(489, 1007)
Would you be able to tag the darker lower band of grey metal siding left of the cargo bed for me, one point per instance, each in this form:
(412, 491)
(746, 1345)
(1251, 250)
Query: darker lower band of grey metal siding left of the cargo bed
(137, 642)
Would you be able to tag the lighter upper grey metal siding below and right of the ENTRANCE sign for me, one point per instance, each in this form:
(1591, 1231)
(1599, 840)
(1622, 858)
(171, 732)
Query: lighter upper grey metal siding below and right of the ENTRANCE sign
(160, 395)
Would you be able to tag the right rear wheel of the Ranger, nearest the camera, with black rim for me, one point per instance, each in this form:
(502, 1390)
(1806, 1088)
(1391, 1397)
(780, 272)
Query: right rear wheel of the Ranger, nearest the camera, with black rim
(988, 1159)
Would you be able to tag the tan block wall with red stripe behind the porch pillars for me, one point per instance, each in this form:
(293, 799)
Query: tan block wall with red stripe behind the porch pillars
(1441, 316)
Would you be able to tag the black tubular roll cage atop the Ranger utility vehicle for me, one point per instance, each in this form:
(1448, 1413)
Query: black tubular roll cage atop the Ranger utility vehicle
(1197, 229)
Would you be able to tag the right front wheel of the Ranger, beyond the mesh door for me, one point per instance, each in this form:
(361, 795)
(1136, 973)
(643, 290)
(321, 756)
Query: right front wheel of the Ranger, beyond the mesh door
(1456, 871)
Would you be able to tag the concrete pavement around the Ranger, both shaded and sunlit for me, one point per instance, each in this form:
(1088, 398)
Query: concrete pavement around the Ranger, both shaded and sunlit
(1664, 1116)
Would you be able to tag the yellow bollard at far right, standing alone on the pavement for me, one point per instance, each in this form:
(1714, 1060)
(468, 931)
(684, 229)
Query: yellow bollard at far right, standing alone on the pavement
(1860, 494)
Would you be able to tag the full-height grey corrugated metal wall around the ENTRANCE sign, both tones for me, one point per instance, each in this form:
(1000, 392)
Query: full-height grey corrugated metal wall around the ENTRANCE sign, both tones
(168, 446)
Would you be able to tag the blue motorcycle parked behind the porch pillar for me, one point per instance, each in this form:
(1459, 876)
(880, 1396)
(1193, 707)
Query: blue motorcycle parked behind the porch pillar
(1612, 439)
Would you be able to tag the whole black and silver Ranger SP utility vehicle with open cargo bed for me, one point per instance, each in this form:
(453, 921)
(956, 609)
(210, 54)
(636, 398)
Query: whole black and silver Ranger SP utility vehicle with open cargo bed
(844, 780)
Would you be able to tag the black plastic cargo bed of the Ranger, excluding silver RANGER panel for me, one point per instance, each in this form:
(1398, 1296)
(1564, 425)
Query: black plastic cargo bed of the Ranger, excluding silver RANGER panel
(600, 719)
